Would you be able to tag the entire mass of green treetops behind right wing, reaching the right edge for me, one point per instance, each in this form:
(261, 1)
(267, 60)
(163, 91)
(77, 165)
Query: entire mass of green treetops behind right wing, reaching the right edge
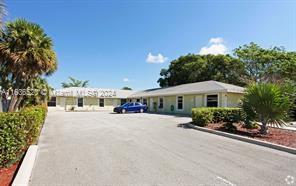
(249, 63)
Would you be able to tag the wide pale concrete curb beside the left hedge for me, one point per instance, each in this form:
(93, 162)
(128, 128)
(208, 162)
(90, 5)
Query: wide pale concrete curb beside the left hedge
(24, 173)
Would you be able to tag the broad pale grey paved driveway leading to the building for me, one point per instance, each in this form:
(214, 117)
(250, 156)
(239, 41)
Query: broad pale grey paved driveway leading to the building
(100, 148)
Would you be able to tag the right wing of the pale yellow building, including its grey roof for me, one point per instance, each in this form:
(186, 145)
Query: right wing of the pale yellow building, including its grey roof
(182, 98)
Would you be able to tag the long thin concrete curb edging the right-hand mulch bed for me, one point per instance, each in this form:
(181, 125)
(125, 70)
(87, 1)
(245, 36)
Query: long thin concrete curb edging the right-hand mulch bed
(245, 139)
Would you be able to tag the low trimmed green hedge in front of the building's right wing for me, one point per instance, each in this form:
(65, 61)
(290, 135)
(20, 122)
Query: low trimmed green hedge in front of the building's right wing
(205, 115)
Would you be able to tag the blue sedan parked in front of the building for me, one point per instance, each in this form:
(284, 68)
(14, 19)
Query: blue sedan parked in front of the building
(131, 107)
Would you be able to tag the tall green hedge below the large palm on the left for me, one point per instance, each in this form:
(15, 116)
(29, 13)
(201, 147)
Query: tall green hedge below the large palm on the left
(18, 130)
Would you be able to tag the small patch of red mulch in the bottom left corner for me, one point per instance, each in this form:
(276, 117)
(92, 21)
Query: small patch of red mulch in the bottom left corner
(7, 174)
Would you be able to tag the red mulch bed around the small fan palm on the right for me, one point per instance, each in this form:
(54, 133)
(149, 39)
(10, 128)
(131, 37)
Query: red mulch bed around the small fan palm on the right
(275, 135)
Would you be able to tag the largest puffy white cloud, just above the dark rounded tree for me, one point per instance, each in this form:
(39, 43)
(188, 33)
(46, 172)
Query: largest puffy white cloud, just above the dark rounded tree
(216, 47)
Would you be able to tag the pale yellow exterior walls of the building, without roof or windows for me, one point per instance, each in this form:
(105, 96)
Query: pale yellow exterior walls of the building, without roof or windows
(189, 102)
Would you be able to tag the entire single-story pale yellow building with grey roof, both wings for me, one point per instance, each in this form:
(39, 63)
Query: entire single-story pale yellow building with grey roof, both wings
(177, 99)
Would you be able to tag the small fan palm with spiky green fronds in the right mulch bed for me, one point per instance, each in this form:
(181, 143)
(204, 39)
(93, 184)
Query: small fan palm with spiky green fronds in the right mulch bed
(266, 103)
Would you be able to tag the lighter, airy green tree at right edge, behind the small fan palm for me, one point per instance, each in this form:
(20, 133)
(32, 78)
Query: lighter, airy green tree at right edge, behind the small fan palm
(267, 65)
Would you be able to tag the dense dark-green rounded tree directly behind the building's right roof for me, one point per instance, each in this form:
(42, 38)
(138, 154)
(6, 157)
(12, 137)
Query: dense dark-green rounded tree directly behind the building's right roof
(194, 68)
